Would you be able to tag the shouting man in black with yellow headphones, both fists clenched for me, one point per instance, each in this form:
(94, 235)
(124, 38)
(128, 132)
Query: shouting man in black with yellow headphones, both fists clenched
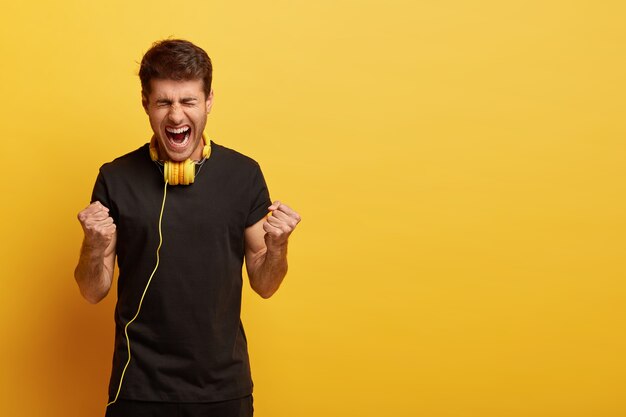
(180, 348)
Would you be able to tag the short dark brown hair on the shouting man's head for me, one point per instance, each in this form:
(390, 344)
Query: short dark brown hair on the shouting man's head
(175, 59)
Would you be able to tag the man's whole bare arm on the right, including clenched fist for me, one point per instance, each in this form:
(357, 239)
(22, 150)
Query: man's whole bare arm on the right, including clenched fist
(266, 248)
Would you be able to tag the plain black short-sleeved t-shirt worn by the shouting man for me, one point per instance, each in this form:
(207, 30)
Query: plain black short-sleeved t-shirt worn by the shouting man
(188, 342)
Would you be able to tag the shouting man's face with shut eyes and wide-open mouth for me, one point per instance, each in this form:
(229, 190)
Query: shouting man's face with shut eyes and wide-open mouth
(177, 111)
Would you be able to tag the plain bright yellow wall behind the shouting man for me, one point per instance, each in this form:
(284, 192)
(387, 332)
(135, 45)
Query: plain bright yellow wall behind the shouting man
(460, 167)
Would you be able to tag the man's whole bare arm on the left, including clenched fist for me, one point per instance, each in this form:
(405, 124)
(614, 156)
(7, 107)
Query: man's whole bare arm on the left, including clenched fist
(94, 272)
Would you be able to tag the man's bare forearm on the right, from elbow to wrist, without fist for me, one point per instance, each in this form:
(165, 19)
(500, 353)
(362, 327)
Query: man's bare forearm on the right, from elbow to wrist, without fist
(269, 271)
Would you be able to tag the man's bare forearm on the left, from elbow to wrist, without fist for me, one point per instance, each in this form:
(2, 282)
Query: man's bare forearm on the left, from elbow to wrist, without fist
(92, 274)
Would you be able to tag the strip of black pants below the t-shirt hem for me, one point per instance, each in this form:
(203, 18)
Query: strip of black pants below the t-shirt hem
(241, 407)
